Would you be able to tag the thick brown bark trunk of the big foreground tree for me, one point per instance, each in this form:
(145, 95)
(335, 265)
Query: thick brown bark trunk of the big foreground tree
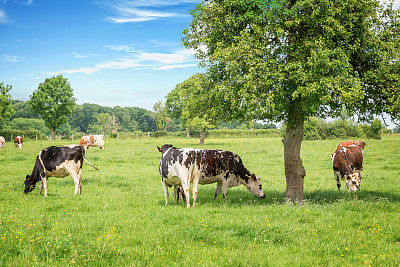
(294, 169)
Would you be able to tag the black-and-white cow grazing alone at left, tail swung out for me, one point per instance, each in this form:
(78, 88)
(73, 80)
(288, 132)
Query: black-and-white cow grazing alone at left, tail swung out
(57, 162)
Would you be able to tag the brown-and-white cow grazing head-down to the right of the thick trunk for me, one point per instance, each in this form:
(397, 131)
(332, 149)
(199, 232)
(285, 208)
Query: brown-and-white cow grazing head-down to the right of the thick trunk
(348, 165)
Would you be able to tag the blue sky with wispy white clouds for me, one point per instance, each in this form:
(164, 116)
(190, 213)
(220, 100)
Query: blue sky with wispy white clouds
(114, 53)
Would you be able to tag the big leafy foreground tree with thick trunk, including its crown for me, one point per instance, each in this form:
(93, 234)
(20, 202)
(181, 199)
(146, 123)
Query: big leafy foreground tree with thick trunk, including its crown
(288, 60)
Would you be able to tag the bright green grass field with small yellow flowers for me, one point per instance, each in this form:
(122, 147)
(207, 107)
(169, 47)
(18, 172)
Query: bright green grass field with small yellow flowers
(120, 218)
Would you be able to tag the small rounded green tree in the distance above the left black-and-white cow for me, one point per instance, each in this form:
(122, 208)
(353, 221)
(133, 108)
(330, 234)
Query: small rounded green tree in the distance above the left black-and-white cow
(54, 101)
